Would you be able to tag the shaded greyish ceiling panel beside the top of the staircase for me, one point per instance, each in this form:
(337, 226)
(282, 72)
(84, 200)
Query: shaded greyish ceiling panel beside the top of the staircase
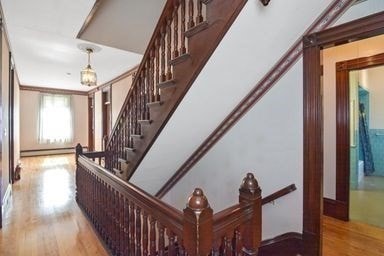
(133, 22)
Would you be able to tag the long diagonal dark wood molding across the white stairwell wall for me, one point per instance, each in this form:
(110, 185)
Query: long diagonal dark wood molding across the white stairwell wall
(260, 89)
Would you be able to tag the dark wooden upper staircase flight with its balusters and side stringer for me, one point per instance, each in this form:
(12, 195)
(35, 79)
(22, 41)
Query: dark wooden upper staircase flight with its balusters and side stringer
(185, 37)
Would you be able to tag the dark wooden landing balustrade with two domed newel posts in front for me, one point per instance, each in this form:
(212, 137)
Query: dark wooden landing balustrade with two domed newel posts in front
(132, 222)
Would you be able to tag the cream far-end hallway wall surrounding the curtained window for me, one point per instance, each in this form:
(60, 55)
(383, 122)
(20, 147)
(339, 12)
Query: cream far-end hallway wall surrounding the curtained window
(29, 125)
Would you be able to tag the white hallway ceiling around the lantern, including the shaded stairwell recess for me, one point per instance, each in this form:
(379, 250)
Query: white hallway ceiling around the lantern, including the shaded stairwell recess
(42, 36)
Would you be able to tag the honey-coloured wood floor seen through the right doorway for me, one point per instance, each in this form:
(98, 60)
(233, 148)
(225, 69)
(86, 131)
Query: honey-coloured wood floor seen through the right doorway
(351, 238)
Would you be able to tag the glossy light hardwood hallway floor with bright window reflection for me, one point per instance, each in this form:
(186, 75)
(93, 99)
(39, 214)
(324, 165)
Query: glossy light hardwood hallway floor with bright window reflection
(43, 218)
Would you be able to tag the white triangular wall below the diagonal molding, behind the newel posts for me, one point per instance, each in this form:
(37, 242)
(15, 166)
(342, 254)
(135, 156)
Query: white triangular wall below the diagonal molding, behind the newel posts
(266, 141)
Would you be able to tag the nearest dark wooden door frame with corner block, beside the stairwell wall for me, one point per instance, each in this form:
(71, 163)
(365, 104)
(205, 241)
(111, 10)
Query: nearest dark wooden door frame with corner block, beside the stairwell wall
(366, 27)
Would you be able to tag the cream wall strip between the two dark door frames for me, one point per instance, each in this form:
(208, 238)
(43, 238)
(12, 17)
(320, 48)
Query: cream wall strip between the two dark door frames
(332, 55)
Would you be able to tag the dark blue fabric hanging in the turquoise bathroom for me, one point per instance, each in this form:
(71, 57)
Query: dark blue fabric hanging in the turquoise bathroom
(365, 142)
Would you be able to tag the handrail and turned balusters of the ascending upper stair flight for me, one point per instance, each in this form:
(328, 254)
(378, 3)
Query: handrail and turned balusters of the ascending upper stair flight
(167, 45)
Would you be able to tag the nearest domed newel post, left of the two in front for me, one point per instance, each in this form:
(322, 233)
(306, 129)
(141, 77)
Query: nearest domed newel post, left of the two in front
(198, 228)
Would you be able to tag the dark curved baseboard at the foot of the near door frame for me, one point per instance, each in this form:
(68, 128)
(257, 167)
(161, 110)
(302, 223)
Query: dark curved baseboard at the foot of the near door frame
(287, 244)
